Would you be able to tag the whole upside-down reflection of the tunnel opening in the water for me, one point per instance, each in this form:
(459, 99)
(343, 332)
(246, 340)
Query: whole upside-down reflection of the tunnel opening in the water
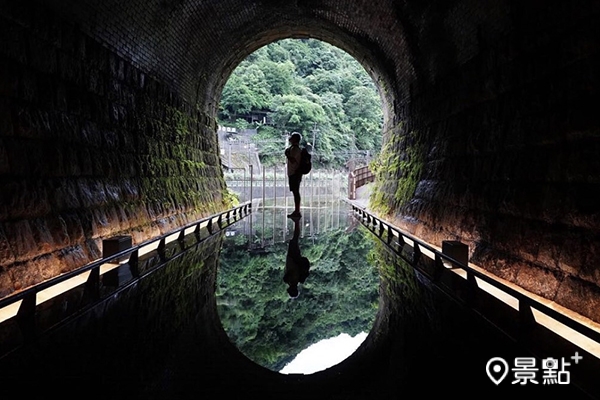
(337, 285)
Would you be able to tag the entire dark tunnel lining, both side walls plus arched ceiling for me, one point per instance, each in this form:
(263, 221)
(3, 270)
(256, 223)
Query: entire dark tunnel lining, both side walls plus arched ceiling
(488, 105)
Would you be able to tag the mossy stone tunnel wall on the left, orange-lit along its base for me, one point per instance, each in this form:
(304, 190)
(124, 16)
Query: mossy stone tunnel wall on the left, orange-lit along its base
(90, 147)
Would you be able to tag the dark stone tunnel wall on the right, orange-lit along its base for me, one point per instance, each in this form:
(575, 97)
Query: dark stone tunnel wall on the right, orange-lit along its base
(498, 146)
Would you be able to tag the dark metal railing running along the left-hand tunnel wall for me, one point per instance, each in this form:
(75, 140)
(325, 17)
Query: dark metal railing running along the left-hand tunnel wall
(29, 295)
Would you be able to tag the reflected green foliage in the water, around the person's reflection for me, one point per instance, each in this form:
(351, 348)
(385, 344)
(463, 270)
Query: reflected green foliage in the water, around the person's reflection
(339, 296)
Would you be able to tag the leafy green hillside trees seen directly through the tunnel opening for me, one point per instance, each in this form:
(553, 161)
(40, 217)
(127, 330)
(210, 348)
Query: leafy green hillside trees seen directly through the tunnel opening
(310, 87)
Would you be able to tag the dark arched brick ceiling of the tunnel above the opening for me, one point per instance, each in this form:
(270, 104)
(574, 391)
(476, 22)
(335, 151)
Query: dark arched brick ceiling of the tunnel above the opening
(195, 44)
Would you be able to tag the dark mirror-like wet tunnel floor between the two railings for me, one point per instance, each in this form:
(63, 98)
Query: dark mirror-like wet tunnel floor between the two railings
(216, 319)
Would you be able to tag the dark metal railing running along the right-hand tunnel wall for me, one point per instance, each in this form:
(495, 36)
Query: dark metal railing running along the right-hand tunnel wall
(525, 302)
